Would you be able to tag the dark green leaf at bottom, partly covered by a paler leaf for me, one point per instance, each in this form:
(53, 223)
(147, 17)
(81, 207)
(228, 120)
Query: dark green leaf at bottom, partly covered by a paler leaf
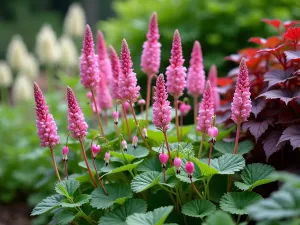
(119, 214)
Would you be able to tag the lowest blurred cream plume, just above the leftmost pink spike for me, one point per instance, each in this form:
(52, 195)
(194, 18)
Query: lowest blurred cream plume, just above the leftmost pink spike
(22, 90)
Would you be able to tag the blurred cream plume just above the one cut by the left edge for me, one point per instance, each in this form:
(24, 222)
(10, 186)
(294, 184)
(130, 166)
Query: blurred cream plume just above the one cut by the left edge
(15, 52)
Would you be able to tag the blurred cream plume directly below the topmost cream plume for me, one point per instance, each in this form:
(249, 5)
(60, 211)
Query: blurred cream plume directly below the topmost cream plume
(68, 53)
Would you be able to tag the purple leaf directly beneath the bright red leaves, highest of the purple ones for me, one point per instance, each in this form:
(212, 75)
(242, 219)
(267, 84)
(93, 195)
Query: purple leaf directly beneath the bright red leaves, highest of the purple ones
(278, 76)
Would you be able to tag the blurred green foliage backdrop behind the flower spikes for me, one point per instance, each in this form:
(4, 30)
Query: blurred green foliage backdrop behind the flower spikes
(222, 27)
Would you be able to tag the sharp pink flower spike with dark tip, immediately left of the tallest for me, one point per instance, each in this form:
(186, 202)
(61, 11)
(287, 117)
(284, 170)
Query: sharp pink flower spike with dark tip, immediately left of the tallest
(128, 88)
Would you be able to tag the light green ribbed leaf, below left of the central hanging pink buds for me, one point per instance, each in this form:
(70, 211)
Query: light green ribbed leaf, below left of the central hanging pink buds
(145, 181)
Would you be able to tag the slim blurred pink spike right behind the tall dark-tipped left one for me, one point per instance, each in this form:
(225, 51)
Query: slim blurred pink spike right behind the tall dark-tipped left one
(104, 63)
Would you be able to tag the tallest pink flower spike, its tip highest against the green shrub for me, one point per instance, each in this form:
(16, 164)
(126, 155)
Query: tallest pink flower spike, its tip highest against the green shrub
(150, 61)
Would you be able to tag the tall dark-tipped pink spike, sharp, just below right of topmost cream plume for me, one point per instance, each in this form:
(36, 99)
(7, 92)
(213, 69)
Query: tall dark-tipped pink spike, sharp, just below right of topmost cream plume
(89, 71)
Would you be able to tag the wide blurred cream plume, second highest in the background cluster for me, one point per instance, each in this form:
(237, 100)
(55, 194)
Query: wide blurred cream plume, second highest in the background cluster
(47, 47)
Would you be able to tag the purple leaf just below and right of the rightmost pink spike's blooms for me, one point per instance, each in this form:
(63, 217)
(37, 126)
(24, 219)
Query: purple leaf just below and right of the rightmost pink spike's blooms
(257, 128)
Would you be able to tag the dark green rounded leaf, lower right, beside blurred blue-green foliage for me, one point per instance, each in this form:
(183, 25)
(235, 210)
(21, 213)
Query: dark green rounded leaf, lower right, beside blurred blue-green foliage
(236, 202)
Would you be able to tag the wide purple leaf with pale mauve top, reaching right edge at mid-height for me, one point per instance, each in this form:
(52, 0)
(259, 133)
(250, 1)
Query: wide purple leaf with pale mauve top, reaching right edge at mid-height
(284, 95)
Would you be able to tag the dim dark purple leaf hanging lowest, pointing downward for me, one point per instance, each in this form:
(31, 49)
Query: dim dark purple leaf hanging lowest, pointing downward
(270, 143)
